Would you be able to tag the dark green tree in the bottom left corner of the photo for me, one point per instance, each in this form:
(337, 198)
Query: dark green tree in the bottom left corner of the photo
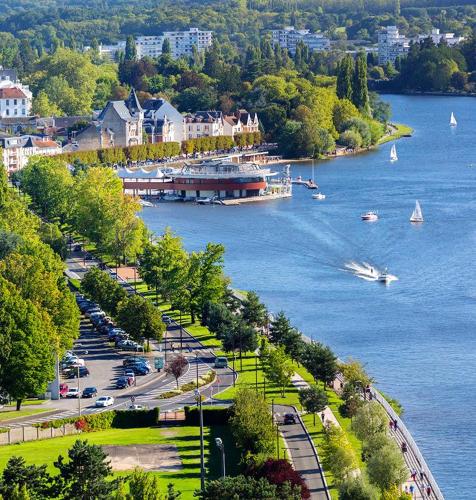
(18, 474)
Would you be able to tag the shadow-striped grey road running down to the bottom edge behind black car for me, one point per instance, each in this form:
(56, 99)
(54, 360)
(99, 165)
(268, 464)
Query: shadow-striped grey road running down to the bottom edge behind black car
(302, 453)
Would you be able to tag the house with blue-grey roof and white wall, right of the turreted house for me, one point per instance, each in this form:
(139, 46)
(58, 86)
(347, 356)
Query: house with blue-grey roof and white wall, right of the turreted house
(157, 110)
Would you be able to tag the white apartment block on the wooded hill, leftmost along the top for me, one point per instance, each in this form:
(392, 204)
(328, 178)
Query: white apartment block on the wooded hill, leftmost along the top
(181, 43)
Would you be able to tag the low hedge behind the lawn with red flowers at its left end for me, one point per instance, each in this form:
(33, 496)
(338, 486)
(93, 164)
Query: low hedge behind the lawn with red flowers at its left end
(115, 419)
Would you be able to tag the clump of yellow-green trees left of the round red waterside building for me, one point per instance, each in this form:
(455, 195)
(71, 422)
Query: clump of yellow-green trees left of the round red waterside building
(88, 202)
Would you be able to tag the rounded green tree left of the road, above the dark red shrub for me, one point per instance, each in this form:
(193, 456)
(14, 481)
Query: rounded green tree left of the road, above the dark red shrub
(251, 423)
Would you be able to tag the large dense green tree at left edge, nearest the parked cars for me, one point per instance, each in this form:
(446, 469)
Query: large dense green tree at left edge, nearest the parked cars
(26, 345)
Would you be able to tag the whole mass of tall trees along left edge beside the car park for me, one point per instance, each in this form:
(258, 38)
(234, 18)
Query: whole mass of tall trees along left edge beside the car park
(39, 318)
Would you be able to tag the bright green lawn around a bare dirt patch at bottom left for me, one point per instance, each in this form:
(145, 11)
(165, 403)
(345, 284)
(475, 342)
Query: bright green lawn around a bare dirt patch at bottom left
(186, 438)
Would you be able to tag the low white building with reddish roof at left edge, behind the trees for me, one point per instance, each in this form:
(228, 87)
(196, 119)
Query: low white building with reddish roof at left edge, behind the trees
(17, 150)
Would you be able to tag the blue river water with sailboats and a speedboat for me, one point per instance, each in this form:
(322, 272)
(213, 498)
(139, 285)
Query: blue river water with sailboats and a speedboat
(417, 335)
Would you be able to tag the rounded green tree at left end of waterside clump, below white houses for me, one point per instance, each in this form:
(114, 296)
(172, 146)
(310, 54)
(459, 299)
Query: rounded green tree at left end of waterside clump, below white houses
(49, 183)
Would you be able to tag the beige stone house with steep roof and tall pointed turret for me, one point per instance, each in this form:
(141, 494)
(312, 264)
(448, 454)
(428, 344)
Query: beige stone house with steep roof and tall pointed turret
(119, 124)
